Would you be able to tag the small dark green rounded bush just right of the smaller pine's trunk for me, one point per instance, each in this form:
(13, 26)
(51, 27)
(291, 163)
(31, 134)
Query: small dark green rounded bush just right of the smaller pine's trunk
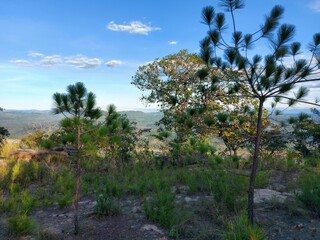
(106, 205)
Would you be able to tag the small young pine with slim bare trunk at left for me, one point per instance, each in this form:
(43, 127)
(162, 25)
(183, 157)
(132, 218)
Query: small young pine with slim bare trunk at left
(78, 107)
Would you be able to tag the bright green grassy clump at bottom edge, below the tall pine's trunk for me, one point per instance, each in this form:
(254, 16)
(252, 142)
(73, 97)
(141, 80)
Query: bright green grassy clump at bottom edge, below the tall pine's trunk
(241, 229)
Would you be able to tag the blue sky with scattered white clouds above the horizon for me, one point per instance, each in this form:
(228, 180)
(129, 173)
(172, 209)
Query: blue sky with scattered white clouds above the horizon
(47, 45)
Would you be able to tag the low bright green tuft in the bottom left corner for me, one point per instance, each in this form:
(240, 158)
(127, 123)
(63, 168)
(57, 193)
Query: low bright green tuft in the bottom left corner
(21, 225)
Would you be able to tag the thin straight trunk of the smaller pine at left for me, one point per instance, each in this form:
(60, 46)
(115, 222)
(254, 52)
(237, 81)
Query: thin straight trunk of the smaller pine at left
(76, 196)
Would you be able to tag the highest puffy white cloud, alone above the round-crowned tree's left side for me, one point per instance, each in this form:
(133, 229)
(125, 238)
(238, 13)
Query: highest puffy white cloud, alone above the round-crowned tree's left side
(134, 27)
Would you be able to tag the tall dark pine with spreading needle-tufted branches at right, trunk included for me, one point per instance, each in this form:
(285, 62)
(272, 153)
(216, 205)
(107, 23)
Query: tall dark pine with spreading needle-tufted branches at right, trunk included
(261, 77)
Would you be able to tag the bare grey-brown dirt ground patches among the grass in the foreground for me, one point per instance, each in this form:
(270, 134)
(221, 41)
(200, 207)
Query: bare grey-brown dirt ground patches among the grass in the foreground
(273, 216)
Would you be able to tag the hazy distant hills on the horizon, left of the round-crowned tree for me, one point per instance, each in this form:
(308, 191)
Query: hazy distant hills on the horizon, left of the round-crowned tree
(21, 122)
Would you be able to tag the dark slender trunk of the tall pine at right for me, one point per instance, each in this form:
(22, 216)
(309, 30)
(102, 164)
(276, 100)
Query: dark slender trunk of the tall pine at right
(255, 163)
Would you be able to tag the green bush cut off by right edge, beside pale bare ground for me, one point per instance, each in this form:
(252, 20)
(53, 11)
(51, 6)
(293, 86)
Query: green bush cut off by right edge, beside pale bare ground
(310, 191)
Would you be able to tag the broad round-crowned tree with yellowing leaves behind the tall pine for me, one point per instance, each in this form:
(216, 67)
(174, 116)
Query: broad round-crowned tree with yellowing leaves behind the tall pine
(191, 98)
